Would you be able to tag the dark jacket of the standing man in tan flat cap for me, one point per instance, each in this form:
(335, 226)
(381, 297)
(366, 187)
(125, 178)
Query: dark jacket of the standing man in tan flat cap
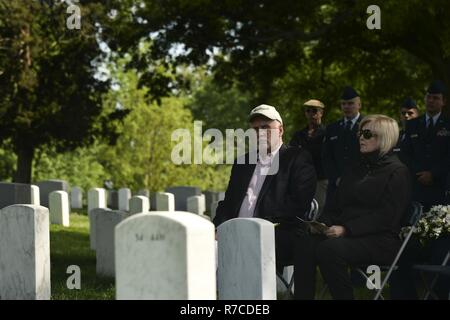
(313, 144)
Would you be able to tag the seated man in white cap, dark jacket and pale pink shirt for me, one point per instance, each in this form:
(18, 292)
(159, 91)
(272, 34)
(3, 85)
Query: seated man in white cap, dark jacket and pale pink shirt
(280, 197)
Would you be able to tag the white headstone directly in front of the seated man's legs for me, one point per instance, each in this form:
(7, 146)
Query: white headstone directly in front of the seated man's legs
(247, 260)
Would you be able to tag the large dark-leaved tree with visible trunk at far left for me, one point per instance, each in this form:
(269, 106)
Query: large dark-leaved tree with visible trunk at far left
(50, 95)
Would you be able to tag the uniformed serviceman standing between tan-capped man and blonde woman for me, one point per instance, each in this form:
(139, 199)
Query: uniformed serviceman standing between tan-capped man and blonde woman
(341, 144)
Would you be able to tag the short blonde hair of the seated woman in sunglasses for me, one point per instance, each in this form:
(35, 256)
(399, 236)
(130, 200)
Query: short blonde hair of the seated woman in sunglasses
(385, 128)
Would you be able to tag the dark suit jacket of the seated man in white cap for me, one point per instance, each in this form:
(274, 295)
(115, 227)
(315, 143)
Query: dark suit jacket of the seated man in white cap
(283, 196)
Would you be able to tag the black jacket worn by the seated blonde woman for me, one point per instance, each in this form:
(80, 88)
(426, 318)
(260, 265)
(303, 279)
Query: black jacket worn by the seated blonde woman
(372, 198)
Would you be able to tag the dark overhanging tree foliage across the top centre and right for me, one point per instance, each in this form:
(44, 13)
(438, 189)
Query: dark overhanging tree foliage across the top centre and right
(258, 42)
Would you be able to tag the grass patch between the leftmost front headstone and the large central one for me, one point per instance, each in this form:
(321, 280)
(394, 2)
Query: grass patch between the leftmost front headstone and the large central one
(70, 246)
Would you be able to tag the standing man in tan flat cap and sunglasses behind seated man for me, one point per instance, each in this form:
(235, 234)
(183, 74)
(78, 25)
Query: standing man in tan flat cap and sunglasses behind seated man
(311, 138)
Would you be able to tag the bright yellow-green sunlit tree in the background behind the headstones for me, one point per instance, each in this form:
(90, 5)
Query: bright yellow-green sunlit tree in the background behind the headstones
(142, 156)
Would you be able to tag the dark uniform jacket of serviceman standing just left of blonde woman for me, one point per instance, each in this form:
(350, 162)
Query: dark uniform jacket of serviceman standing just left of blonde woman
(340, 151)
